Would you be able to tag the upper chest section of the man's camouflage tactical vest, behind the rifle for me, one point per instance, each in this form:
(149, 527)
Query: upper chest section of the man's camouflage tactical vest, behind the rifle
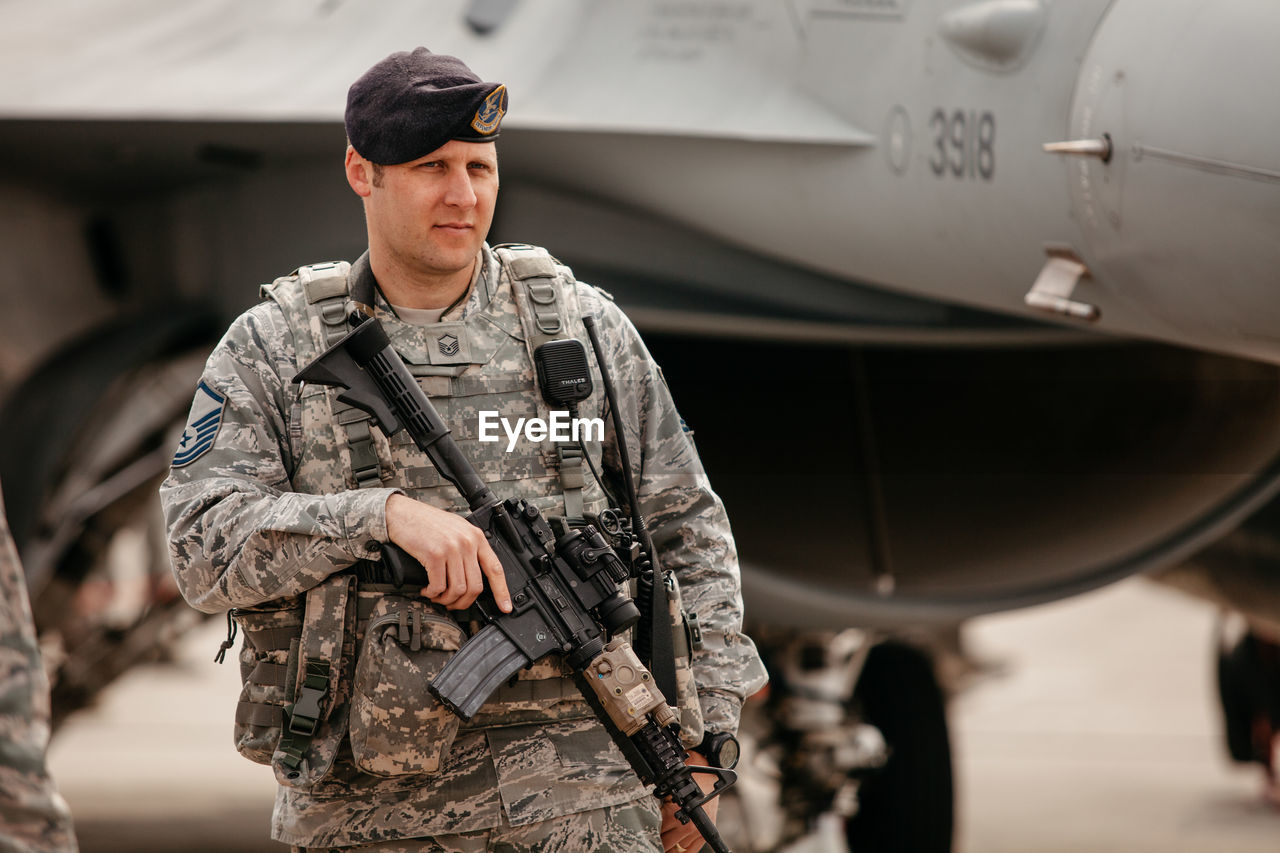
(483, 363)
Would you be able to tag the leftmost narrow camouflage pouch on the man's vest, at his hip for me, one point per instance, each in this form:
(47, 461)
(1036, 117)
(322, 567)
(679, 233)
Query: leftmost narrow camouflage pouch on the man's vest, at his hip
(266, 658)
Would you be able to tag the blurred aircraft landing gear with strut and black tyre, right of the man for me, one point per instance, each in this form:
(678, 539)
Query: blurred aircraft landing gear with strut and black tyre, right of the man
(848, 751)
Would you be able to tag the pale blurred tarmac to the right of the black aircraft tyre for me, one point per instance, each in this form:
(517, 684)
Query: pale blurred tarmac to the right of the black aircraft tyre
(1104, 735)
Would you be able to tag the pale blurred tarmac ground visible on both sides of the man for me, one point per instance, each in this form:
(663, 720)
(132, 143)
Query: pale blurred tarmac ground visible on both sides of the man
(1096, 729)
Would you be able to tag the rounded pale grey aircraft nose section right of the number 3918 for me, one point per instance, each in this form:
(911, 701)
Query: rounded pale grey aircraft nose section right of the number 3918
(1183, 221)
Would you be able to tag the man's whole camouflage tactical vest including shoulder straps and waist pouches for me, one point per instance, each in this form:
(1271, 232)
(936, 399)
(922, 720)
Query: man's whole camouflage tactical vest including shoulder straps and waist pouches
(483, 363)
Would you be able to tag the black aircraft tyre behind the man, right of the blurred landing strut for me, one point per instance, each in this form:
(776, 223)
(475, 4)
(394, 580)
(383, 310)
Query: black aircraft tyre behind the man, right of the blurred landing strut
(908, 806)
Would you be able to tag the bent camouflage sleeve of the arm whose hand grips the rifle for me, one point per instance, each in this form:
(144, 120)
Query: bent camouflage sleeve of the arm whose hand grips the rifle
(239, 535)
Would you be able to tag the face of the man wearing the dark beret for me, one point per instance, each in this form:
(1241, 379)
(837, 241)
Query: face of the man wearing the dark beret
(431, 216)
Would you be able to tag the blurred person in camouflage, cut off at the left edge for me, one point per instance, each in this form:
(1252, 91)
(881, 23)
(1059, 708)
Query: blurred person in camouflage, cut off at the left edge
(34, 818)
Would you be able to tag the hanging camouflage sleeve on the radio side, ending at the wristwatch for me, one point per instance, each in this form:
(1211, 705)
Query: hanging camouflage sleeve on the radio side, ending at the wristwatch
(687, 519)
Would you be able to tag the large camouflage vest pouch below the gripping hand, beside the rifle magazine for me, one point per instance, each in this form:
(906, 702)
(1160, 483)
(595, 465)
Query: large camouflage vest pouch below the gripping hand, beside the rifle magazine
(397, 727)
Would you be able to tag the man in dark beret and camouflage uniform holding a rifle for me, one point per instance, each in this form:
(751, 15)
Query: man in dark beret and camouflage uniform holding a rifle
(280, 491)
